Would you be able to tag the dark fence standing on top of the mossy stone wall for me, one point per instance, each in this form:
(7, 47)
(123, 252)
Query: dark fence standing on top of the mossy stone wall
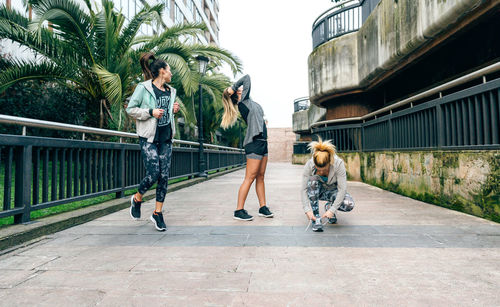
(468, 119)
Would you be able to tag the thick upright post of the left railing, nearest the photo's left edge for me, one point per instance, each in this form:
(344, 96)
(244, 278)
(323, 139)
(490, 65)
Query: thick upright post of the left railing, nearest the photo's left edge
(22, 198)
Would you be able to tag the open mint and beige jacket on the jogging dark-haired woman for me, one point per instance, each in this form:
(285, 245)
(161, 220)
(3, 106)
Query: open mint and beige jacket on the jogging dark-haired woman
(143, 99)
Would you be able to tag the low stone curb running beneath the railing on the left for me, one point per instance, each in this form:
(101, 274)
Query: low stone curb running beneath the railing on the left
(15, 235)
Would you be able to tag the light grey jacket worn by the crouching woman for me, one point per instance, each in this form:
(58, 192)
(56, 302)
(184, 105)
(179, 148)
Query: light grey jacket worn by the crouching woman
(337, 179)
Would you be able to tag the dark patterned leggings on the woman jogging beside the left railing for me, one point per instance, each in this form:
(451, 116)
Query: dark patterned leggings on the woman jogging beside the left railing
(156, 158)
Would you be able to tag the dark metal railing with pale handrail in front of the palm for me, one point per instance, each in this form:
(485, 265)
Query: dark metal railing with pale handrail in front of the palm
(40, 172)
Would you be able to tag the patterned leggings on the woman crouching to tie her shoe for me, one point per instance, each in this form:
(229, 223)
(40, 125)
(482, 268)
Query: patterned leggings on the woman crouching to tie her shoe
(316, 191)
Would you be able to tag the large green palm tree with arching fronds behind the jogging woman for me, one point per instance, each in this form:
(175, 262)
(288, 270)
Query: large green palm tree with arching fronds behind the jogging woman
(93, 51)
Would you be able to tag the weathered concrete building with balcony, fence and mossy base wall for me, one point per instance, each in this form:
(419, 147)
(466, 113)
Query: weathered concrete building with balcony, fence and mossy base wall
(409, 92)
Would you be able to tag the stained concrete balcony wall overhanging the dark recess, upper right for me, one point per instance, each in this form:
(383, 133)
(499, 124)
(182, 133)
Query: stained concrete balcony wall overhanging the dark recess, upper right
(394, 31)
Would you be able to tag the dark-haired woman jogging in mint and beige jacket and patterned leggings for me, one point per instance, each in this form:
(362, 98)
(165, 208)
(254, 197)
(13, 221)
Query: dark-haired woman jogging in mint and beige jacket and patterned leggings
(153, 106)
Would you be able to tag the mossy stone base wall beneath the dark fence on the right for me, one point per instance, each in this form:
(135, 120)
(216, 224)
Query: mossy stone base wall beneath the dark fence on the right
(467, 181)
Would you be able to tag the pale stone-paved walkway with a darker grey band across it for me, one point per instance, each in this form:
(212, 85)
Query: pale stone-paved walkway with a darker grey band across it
(390, 250)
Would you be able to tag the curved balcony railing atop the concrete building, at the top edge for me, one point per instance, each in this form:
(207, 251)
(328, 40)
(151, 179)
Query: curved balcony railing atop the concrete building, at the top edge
(341, 19)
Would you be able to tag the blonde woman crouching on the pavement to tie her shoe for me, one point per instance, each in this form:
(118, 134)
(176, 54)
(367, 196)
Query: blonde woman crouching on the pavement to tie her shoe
(324, 178)
